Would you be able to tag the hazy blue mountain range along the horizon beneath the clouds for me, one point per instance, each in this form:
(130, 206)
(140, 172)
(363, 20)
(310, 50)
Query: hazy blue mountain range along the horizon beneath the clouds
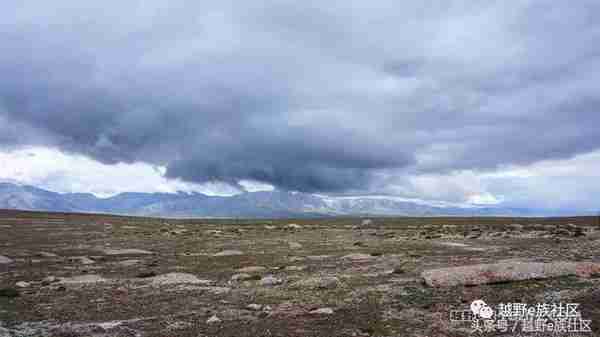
(252, 204)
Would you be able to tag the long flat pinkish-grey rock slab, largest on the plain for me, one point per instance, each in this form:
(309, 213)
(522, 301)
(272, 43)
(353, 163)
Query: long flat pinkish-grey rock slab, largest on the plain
(505, 272)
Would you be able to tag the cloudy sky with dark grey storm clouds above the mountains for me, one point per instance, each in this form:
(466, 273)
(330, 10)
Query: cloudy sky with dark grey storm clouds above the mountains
(473, 102)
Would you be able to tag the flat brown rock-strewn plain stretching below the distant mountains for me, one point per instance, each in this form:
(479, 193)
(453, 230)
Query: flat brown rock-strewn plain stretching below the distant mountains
(76, 275)
